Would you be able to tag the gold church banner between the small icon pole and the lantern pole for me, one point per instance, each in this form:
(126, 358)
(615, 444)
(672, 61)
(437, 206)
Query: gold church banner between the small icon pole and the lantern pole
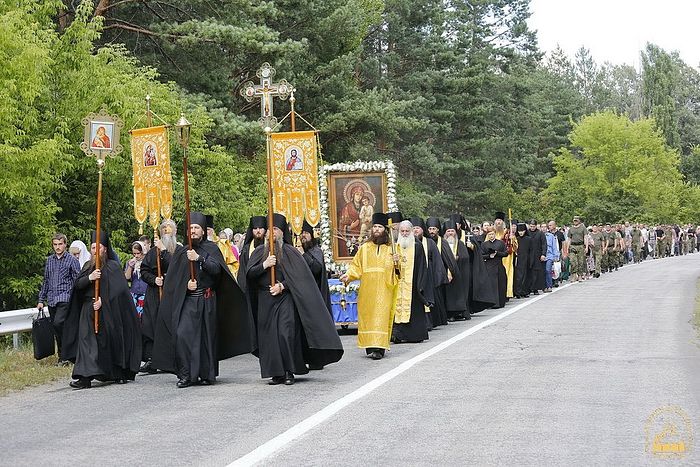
(153, 183)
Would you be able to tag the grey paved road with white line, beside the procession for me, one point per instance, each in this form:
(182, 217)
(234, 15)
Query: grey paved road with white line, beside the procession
(567, 379)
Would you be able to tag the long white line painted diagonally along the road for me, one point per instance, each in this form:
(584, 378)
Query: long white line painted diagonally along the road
(278, 442)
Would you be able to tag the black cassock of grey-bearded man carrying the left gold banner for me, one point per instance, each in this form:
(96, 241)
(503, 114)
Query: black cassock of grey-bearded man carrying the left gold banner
(149, 317)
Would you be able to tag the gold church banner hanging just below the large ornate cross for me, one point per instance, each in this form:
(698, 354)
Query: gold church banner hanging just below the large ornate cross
(295, 177)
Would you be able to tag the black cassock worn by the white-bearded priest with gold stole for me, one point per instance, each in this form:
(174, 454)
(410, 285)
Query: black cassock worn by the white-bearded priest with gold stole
(416, 330)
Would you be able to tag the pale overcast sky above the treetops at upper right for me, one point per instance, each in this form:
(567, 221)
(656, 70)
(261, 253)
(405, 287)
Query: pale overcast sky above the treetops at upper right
(616, 30)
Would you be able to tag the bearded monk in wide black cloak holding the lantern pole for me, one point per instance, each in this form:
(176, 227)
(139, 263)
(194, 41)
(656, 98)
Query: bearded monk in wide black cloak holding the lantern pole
(200, 321)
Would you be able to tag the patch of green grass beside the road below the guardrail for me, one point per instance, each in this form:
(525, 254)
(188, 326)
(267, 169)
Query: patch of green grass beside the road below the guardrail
(19, 370)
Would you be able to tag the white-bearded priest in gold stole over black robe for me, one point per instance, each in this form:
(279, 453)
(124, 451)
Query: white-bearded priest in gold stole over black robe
(410, 323)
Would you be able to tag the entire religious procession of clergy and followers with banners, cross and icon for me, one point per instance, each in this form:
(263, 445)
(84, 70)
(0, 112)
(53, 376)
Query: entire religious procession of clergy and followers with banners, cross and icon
(333, 251)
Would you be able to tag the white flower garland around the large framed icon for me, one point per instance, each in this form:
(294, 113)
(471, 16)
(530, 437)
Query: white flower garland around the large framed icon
(360, 166)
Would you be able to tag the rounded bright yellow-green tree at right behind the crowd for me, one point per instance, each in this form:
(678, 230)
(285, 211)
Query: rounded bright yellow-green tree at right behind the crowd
(616, 169)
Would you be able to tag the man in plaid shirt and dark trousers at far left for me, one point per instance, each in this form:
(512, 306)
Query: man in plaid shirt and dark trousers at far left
(59, 275)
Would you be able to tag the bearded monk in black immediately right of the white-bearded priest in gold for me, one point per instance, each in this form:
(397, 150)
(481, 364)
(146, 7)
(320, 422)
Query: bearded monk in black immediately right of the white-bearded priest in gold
(437, 276)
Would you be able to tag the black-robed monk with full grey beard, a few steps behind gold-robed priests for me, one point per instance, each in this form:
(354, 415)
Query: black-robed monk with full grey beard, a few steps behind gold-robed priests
(457, 290)
